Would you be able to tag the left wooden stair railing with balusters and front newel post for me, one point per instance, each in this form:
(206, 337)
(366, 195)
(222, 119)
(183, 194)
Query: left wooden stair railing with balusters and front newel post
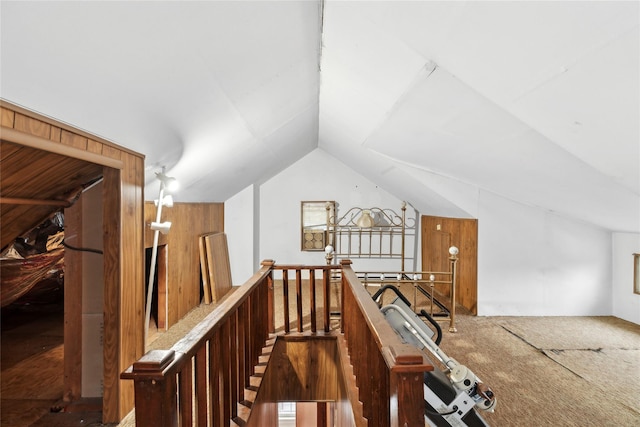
(187, 376)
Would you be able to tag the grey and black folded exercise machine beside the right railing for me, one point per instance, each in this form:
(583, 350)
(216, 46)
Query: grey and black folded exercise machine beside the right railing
(451, 396)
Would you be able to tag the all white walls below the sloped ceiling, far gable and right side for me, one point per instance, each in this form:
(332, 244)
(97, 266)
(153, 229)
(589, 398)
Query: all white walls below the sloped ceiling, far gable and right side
(531, 262)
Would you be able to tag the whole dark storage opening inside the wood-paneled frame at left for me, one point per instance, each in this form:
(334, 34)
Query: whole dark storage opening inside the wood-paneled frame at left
(52, 298)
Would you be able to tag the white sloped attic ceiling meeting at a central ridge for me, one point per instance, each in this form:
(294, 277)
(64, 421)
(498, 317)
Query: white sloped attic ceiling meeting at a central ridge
(534, 101)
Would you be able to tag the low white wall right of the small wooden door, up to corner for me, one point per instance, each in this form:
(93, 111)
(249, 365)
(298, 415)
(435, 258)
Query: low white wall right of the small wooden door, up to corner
(534, 263)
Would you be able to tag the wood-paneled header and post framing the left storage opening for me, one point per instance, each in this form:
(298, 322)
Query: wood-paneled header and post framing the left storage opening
(123, 201)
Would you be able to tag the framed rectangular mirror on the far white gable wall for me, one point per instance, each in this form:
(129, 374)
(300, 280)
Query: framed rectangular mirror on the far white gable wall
(314, 219)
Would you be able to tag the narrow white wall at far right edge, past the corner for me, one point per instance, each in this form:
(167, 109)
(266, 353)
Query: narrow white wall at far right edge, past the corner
(626, 304)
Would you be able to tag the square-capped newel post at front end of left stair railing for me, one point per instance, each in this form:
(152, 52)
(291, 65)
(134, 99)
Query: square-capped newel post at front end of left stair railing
(155, 390)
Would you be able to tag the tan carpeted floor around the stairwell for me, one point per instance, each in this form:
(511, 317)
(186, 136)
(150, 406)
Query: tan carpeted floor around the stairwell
(545, 371)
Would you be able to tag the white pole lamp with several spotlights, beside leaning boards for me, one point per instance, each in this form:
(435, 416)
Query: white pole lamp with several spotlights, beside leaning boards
(169, 184)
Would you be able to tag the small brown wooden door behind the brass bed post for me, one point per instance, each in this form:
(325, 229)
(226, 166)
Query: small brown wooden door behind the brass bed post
(440, 233)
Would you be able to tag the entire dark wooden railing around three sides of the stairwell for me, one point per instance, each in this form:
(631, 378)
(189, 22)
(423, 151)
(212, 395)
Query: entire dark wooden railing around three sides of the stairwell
(203, 377)
